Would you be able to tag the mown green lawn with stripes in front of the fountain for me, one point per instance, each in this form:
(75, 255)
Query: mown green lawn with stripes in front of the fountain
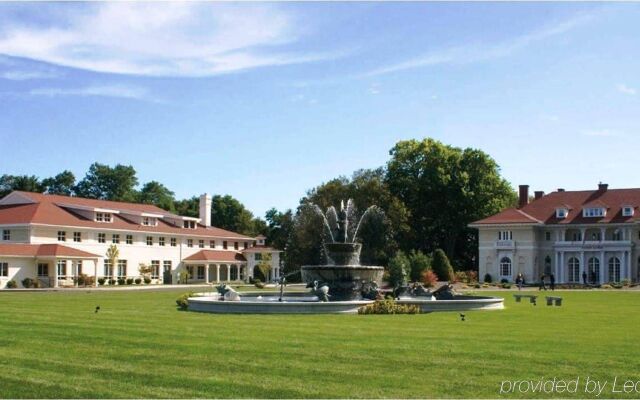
(53, 345)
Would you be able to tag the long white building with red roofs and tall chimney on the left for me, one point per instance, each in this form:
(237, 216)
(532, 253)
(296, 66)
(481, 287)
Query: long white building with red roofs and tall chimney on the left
(55, 239)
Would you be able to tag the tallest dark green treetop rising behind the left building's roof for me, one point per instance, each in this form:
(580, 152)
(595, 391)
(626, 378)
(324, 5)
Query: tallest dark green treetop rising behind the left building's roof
(108, 183)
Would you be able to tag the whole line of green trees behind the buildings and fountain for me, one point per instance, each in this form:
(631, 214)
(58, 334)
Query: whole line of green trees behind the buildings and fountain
(428, 190)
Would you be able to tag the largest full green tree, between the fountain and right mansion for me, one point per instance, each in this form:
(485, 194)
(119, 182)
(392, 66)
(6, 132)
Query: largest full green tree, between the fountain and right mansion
(444, 189)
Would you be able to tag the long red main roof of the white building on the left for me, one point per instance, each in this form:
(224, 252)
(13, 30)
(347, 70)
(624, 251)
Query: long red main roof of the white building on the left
(46, 210)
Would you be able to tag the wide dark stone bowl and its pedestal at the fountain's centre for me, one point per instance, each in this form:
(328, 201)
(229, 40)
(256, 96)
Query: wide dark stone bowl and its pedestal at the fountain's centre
(345, 281)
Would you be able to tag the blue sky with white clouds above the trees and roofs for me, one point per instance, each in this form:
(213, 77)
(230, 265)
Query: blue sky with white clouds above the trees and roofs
(264, 101)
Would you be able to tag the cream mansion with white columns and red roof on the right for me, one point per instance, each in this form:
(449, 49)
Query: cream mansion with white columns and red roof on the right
(591, 235)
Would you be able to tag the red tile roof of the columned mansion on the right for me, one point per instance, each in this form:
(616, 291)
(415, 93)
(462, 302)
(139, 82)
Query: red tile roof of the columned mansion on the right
(543, 210)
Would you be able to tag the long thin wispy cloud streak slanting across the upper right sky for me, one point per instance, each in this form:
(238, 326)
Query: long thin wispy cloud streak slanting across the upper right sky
(472, 53)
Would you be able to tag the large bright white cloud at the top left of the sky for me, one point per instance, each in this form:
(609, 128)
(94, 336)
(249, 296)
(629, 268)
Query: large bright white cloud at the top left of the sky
(160, 39)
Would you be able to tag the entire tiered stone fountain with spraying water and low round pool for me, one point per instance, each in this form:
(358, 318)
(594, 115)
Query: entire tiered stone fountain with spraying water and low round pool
(341, 285)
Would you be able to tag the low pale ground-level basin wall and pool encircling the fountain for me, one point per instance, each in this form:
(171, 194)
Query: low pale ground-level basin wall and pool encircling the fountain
(303, 303)
